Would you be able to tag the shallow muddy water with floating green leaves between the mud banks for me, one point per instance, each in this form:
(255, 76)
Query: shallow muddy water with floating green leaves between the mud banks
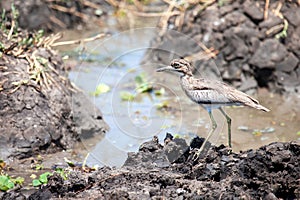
(115, 62)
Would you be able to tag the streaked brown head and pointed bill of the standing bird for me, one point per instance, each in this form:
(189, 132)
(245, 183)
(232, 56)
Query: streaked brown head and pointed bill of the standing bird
(178, 65)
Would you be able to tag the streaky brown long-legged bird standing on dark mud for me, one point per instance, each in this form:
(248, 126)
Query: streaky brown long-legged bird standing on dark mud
(210, 94)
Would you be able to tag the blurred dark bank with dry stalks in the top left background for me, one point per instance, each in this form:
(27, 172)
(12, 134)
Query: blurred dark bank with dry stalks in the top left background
(53, 16)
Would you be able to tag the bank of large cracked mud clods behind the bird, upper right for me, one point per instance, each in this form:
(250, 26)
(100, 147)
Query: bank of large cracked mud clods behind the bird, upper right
(251, 46)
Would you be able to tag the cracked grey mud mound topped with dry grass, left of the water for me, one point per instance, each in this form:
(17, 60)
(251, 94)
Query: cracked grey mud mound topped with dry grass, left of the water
(41, 112)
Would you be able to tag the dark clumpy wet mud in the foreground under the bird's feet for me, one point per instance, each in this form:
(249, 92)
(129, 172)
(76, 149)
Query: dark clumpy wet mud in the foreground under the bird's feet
(270, 172)
